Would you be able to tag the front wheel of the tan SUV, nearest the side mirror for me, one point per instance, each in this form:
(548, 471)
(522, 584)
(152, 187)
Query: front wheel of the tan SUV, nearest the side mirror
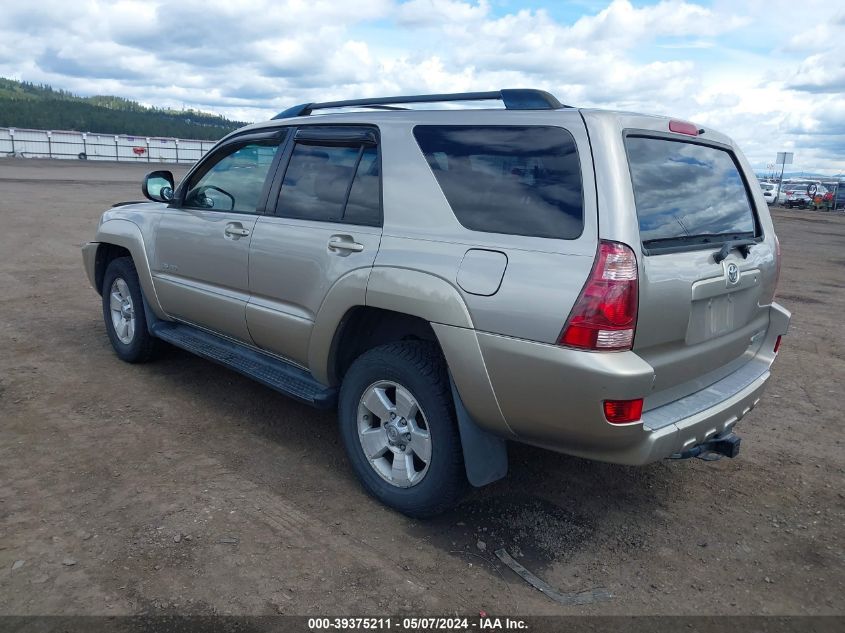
(123, 313)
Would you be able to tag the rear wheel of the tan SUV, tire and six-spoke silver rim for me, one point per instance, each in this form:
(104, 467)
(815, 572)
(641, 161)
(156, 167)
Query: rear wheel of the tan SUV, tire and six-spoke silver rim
(397, 421)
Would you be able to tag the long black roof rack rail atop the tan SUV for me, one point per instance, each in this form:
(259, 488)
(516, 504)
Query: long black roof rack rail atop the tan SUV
(514, 99)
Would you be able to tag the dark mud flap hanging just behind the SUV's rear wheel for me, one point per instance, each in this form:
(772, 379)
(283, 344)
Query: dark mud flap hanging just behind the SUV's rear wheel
(485, 454)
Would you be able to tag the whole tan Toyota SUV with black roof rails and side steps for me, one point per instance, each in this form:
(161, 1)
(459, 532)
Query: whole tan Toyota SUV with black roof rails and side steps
(592, 282)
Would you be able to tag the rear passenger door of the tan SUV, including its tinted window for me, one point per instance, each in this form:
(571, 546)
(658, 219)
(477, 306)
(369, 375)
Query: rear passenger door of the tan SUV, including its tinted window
(326, 224)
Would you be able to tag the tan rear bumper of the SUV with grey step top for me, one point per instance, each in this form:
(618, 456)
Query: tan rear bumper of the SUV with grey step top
(552, 397)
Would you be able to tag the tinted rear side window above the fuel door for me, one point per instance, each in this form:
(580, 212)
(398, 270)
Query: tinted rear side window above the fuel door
(518, 180)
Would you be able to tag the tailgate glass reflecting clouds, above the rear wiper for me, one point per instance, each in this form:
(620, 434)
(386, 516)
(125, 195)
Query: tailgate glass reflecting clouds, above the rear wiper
(687, 193)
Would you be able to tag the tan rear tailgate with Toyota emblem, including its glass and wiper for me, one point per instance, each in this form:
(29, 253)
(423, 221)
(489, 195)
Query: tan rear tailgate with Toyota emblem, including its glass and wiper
(702, 314)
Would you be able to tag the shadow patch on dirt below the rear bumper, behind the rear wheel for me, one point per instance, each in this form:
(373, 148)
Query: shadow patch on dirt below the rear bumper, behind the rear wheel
(551, 506)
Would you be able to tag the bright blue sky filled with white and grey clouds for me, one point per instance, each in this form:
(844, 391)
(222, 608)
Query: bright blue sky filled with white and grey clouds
(769, 74)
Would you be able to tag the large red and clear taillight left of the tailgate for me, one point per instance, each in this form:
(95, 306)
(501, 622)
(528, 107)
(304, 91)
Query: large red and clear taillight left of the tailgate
(605, 315)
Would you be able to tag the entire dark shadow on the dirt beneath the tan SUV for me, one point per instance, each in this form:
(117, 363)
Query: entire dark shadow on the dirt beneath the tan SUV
(549, 507)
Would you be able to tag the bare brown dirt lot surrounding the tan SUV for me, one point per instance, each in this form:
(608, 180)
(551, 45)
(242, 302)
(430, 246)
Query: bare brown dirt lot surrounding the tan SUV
(181, 487)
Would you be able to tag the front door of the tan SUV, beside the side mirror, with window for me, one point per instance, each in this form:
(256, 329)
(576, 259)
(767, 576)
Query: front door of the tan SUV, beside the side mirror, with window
(201, 252)
